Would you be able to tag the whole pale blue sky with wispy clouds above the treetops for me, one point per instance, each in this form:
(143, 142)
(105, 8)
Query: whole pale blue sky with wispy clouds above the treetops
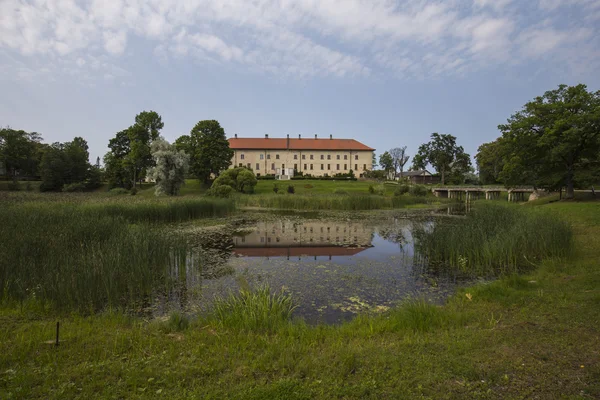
(386, 73)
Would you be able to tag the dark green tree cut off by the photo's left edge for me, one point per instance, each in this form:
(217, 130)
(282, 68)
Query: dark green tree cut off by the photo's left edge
(19, 151)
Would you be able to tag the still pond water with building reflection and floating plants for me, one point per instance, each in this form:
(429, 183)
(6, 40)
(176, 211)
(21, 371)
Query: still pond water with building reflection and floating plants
(333, 269)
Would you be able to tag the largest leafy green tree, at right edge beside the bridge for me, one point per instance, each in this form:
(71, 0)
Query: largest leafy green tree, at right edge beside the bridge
(552, 139)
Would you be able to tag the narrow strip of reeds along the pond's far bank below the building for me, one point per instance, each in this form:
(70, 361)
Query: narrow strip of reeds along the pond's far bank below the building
(330, 202)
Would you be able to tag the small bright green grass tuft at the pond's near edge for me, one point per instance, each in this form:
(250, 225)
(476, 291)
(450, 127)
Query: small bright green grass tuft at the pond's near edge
(253, 310)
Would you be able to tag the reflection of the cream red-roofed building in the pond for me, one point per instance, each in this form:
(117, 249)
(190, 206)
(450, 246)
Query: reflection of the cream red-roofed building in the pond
(307, 239)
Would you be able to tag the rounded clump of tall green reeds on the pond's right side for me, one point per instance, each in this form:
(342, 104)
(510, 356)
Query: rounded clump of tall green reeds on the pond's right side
(494, 239)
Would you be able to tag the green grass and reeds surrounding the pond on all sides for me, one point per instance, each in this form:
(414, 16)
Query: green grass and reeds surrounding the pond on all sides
(532, 331)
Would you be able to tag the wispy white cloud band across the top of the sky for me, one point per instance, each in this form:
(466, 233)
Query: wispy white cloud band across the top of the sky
(305, 38)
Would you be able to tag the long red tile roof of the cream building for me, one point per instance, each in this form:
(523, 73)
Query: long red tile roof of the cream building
(296, 144)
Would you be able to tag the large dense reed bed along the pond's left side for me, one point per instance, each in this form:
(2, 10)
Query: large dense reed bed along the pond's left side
(90, 256)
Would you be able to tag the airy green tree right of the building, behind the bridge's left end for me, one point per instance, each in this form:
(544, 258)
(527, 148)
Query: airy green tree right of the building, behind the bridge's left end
(442, 153)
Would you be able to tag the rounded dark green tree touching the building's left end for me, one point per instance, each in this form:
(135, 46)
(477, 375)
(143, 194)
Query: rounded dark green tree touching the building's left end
(208, 149)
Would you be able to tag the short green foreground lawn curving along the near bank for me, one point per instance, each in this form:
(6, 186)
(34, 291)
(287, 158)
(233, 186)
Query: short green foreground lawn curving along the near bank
(533, 336)
